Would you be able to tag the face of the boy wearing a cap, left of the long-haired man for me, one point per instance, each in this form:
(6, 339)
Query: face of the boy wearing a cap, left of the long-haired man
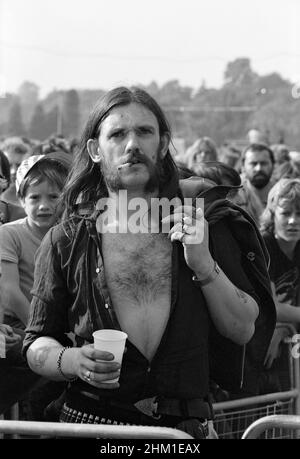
(40, 205)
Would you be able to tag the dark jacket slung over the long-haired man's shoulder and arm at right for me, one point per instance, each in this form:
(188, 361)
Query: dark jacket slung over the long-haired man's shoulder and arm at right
(234, 367)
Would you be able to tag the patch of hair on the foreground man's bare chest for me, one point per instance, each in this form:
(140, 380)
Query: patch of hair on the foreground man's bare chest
(137, 267)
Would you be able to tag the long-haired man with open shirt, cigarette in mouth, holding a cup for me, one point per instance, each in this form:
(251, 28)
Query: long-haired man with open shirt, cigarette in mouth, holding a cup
(163, 288)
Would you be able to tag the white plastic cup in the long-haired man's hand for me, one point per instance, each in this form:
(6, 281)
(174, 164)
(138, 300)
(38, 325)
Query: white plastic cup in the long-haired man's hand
(112, 341)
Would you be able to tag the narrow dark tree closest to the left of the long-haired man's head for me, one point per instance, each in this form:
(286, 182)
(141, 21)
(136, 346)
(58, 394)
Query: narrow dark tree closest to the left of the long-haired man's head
(71, 113)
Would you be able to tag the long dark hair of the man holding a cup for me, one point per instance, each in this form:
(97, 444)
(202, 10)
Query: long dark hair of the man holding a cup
(86, 182)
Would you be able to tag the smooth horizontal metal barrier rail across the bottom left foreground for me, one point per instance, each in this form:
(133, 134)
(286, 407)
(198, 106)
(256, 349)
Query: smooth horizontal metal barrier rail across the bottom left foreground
(57, 429)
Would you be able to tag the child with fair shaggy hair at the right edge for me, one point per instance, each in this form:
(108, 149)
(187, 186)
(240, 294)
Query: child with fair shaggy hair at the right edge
(280, 226)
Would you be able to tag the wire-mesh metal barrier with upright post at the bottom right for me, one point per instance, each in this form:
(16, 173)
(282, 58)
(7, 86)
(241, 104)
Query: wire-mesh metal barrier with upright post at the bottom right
(233, 417)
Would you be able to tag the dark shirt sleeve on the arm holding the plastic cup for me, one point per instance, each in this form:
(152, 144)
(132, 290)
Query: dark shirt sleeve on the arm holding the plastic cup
(50, 302)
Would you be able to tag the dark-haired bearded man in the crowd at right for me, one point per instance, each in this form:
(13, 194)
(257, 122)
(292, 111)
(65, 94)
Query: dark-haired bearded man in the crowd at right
(257, 168)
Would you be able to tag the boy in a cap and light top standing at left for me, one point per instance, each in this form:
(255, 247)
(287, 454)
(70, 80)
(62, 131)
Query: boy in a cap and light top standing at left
(39, 183)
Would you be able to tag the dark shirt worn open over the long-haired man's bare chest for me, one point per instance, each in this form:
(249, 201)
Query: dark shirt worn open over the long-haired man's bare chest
(70, 295)
